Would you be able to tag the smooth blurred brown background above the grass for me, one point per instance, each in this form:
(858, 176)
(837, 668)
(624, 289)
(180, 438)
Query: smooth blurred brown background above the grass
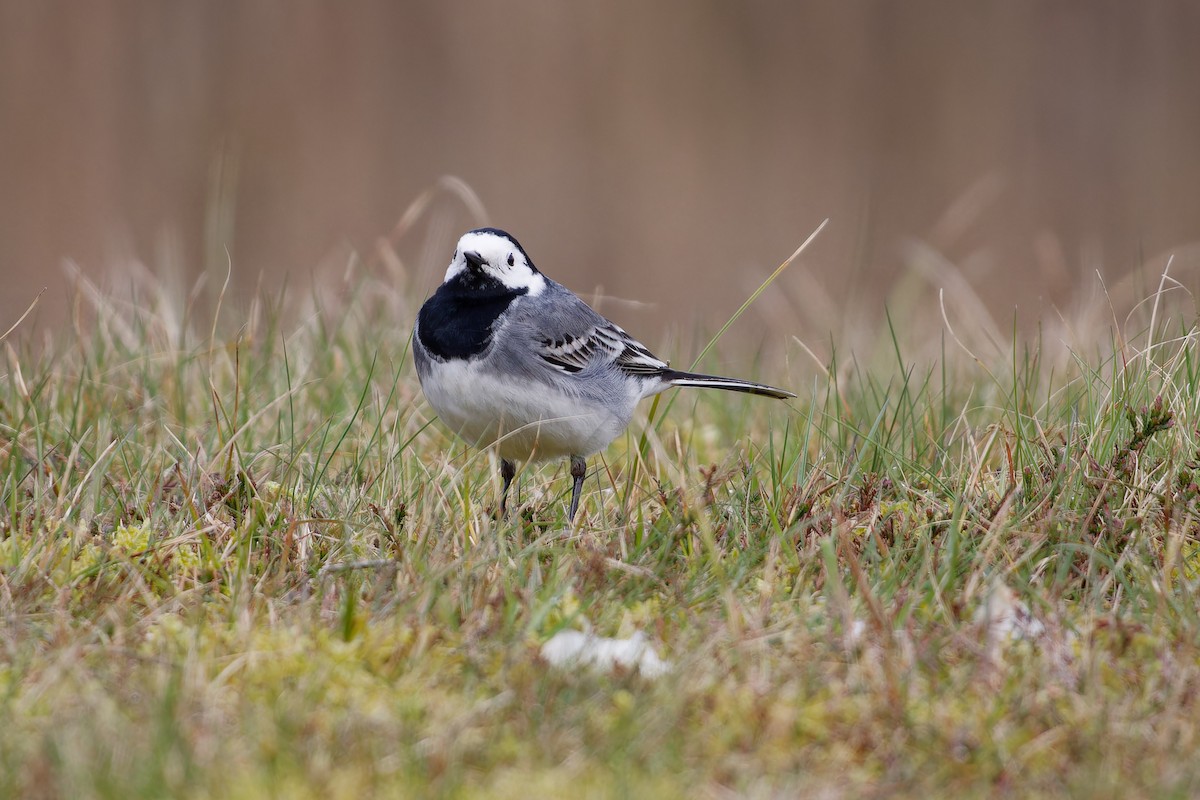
(673, 153)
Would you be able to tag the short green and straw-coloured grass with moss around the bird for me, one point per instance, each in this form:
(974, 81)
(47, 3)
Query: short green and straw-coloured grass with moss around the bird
(249, 564)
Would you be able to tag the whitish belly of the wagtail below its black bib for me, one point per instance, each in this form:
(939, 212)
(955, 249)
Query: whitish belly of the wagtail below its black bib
(523, 420)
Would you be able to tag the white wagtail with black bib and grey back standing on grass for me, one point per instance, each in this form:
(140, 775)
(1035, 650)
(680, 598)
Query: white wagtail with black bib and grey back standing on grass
(511, 359)
